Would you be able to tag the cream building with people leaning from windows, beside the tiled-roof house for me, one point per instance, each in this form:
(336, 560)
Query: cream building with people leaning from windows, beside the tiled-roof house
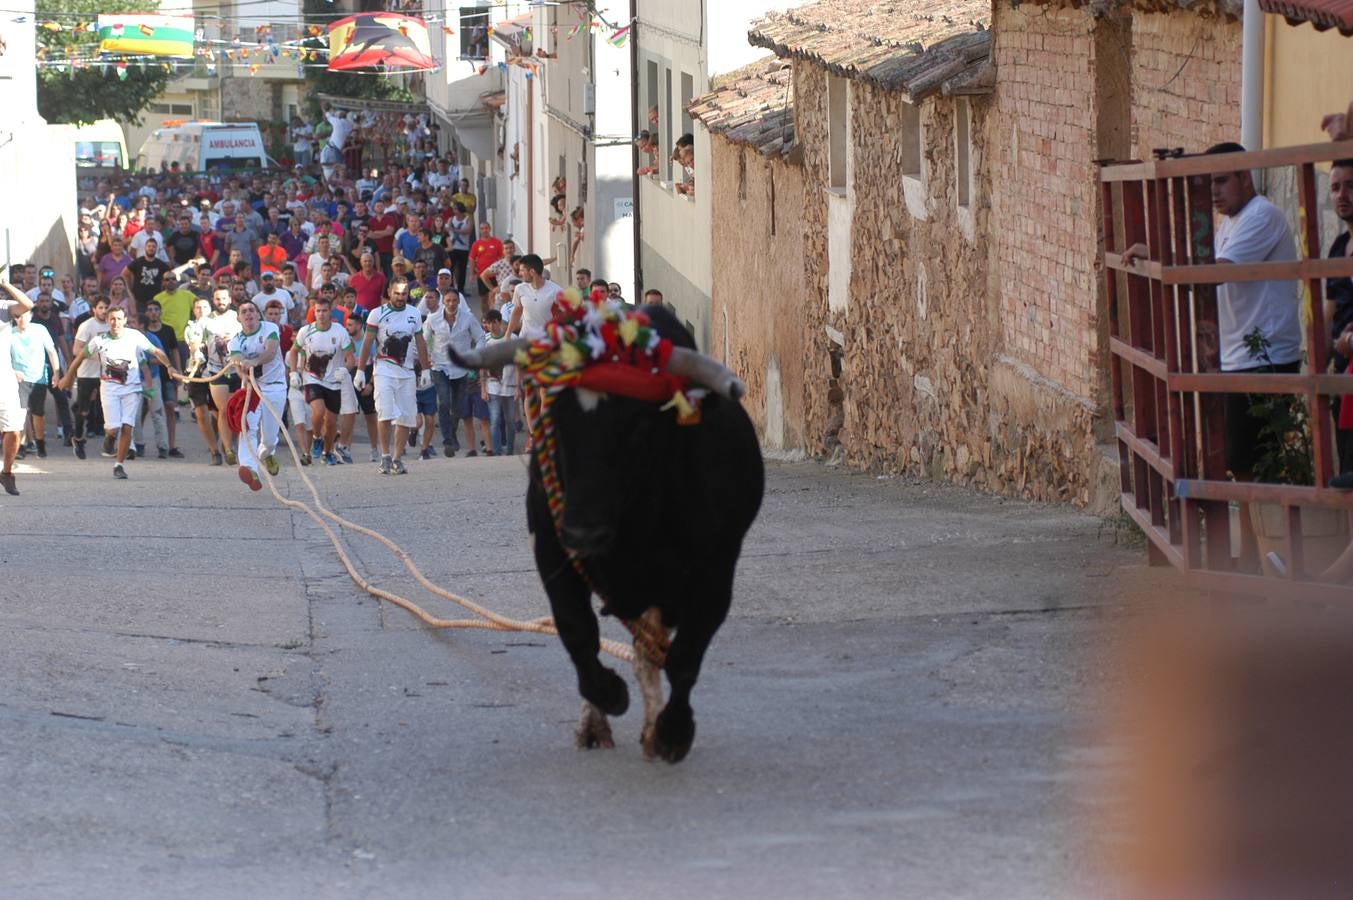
(683, 45)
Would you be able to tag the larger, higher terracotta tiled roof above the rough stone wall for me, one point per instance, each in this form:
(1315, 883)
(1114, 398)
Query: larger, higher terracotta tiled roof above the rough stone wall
(900, 45)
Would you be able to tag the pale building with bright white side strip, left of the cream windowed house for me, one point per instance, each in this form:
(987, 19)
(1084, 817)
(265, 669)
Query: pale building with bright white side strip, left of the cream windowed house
(584, 136)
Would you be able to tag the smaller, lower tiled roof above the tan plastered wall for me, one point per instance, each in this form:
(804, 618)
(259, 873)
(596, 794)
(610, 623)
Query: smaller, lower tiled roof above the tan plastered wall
(753, 106)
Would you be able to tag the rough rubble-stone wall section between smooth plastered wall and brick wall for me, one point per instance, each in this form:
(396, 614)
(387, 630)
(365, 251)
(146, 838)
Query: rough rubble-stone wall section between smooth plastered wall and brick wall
(921, 327)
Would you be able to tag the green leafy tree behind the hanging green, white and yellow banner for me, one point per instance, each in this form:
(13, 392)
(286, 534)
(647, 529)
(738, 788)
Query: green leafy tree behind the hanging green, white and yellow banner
(85, 95)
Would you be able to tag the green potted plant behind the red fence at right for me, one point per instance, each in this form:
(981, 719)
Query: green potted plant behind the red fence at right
(1283, 457)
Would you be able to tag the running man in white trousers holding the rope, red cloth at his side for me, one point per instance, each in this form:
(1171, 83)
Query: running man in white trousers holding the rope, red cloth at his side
(258, 350)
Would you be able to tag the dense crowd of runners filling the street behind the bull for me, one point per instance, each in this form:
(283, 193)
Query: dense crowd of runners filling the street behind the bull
(340, 293)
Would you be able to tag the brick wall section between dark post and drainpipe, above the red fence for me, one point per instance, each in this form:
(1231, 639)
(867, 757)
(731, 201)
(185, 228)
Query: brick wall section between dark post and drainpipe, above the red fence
(1186, 82)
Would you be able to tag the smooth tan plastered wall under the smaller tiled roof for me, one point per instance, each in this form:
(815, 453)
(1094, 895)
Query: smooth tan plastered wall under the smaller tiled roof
(760, 298)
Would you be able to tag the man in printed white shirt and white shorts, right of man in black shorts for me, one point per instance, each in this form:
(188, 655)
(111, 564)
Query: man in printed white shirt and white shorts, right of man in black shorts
(394, 334)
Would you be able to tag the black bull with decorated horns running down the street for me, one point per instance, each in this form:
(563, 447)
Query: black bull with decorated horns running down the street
(657, 514)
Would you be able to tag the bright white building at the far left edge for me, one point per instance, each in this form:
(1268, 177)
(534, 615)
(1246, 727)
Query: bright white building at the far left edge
(37, 162)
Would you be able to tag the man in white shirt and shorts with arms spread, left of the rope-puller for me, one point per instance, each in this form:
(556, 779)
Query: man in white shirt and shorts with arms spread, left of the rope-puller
(122, 354)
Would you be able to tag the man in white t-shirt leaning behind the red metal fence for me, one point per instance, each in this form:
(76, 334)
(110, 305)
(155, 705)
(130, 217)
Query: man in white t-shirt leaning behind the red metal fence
(1260, 321)
